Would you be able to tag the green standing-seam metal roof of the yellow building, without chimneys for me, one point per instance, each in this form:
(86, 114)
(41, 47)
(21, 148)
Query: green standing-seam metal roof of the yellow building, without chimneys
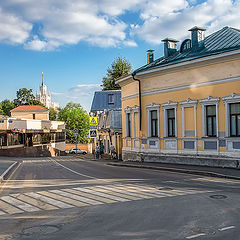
(226, 39)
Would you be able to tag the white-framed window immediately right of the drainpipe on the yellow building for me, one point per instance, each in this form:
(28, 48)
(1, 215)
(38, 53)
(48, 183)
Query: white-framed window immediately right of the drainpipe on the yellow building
(153, 120)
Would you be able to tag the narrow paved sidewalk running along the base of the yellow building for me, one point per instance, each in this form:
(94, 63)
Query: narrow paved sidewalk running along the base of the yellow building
(229, 173)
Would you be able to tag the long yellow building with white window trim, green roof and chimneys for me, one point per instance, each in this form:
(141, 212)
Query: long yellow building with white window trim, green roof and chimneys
(185, 103)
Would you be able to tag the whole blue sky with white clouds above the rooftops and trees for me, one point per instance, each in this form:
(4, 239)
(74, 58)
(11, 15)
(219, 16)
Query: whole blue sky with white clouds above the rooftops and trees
(74, 41)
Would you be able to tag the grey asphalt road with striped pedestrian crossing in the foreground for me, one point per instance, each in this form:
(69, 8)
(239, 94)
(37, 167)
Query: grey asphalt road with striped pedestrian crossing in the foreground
(73, 198)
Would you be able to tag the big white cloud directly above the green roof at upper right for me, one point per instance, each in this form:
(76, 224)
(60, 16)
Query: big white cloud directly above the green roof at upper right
(173, 20)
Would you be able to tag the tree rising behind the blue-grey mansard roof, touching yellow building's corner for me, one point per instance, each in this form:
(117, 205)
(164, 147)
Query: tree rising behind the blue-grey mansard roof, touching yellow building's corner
(119, 68)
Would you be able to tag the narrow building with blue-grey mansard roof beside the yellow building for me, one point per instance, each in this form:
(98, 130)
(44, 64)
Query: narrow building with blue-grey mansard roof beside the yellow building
(106, 105)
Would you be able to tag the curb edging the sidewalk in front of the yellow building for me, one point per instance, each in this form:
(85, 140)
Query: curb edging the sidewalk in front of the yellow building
(201, 173)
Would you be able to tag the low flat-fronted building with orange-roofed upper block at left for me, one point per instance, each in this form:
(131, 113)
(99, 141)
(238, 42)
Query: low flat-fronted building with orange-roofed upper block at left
(29, 132)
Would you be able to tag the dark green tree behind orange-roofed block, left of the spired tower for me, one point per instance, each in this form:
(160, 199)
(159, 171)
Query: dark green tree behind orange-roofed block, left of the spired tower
(26, 97)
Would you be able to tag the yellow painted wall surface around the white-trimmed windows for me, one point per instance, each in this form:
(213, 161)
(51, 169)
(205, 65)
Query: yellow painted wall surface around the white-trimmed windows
(187, 79)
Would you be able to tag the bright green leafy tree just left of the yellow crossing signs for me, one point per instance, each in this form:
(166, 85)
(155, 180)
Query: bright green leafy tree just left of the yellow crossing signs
(75, 117)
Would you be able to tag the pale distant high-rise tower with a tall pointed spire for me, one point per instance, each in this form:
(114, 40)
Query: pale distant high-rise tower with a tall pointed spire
(45, 97)
